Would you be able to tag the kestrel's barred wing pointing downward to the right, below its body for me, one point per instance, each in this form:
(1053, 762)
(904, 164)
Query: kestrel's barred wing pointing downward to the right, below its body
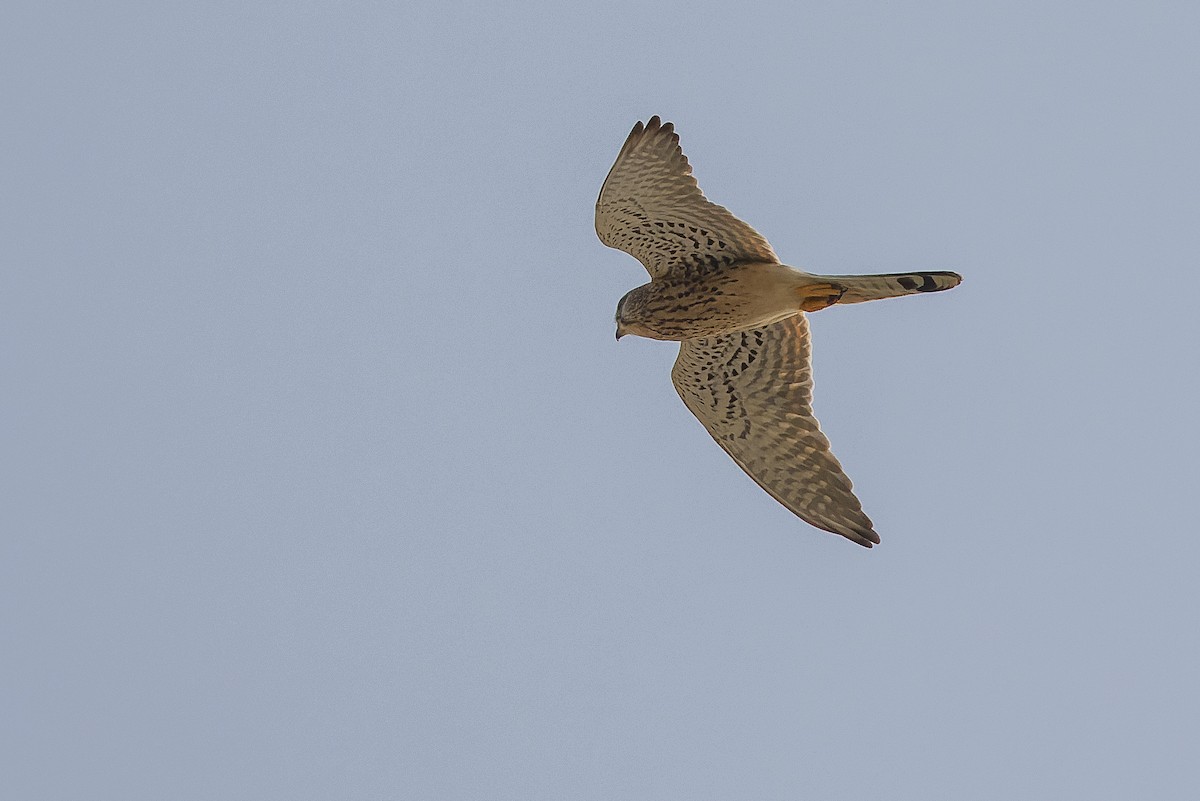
(753, 390)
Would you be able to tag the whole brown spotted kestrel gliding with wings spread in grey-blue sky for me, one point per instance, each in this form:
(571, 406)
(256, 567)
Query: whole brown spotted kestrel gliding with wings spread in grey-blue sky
(718, 288)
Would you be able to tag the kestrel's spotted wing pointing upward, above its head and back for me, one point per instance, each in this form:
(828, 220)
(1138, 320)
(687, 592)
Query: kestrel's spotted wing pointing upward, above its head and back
(652, 208)
